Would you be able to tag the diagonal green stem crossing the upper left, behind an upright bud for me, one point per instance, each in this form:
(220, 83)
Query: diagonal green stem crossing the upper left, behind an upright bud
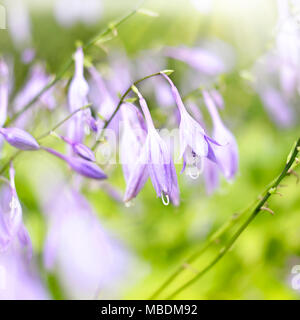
(110, 28)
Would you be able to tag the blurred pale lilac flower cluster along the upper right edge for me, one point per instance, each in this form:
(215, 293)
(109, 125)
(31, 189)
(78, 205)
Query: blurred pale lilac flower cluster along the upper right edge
(277, 77)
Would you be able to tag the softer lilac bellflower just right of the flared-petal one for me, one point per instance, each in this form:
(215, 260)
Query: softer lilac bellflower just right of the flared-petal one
(227, 153)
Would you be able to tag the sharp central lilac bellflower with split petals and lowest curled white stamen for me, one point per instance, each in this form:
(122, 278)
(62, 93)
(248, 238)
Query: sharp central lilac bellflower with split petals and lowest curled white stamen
(156, 158)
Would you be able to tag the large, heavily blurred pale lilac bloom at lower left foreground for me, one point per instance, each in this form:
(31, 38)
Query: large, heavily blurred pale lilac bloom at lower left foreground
(88, 261)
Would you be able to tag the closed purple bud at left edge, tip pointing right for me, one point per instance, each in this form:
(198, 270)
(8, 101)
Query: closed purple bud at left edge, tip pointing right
(19, 138)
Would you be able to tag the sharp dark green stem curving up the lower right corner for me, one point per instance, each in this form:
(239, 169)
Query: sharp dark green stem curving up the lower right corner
(257, 209)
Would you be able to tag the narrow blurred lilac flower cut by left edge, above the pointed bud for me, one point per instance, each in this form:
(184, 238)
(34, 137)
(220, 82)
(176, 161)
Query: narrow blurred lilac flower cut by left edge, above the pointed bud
(4, 83)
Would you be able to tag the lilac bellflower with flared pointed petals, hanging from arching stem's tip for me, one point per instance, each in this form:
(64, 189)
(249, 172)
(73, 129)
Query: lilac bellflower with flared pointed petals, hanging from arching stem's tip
(195, 145)
